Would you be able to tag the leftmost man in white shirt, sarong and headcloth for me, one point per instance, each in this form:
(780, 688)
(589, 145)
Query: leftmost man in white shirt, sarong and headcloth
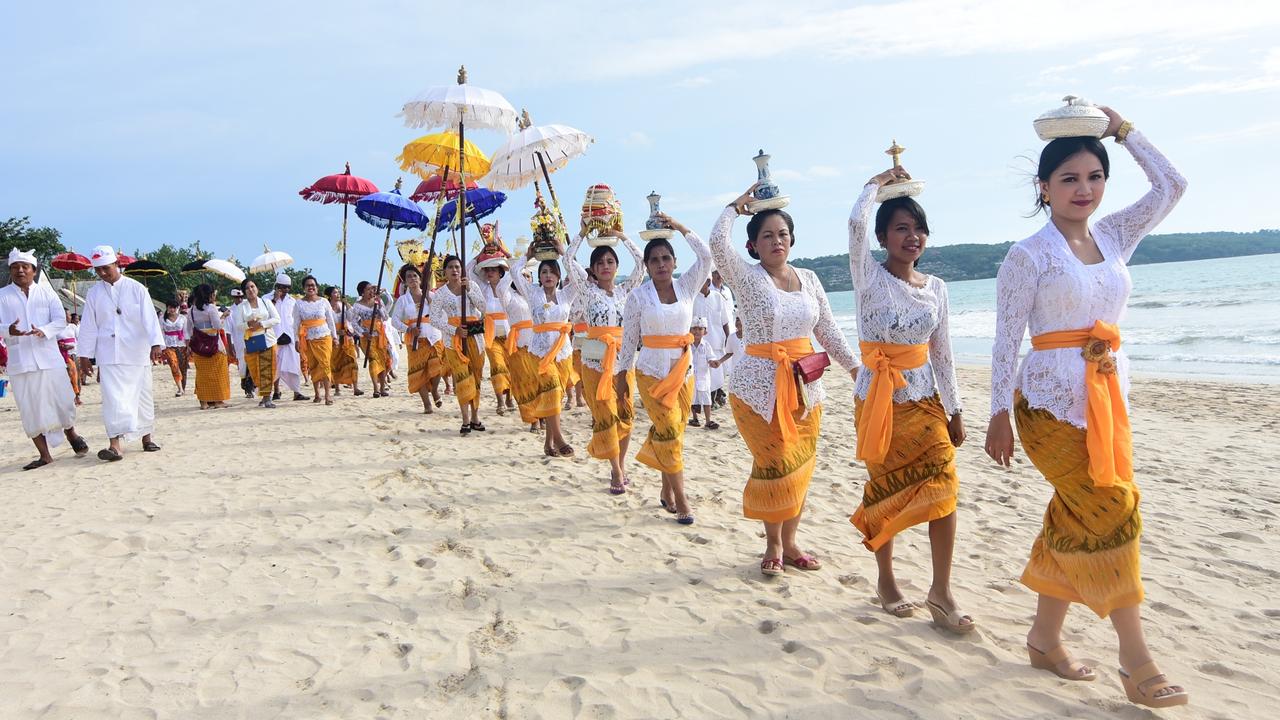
(33, 318)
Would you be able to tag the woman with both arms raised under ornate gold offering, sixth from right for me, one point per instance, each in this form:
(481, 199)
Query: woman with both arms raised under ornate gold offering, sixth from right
(550, 308)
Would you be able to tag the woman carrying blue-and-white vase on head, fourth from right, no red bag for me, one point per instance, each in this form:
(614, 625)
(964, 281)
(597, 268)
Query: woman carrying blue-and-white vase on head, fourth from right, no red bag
(657, 317)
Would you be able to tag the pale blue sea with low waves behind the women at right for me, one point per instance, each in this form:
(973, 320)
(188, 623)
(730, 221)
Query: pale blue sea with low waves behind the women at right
(1213, 320)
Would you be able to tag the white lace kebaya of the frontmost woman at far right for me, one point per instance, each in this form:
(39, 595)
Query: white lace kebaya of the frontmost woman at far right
(1043, 286)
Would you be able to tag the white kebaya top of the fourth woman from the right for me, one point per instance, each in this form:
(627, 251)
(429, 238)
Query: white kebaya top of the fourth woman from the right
(646, 315)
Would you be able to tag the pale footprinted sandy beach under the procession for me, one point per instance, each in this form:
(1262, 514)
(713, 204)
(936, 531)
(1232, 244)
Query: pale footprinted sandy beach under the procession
(369, 563)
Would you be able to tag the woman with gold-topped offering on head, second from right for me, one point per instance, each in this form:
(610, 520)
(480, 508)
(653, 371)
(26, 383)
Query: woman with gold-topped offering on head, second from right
(908, 412)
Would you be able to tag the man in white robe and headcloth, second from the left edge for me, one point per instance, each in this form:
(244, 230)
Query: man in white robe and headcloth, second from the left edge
(121, 332)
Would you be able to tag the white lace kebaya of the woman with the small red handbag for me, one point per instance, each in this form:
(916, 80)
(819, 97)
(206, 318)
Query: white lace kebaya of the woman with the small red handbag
(772, 316)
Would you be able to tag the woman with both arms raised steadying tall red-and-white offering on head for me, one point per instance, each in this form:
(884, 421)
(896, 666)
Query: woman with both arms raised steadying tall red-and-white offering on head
(604, 300)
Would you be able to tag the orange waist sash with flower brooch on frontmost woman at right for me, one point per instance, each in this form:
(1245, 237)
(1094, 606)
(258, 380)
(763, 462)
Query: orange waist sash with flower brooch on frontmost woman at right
(1107, 425)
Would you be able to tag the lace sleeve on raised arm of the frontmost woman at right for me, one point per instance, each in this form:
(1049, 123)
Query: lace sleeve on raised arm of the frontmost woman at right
(1126, 229)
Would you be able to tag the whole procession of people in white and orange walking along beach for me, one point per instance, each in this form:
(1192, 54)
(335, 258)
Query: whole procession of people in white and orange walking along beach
(698, 330)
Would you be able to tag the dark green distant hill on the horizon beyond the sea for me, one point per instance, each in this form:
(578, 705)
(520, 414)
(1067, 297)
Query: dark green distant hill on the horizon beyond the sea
(977, 262)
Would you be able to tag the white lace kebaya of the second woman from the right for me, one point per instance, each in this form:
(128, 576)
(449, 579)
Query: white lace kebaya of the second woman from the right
(894, 311)
